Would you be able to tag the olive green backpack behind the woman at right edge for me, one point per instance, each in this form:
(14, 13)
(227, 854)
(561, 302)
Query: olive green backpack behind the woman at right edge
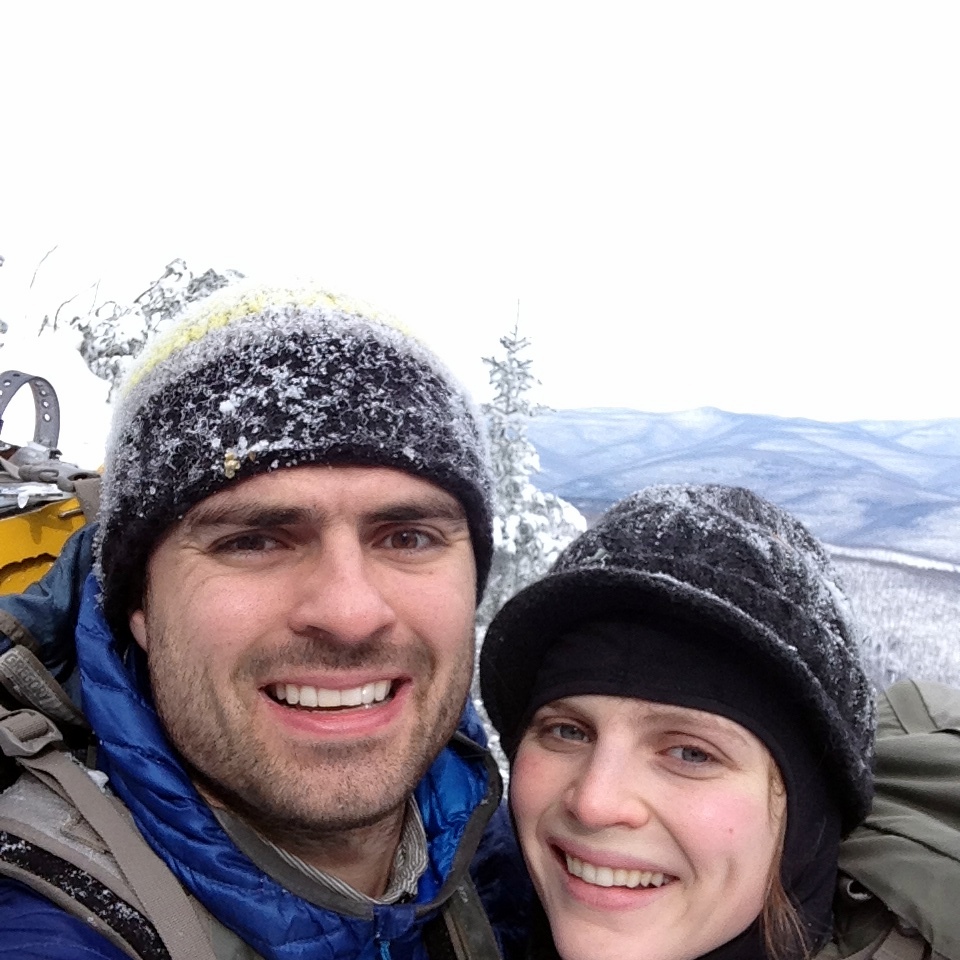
(900, 870)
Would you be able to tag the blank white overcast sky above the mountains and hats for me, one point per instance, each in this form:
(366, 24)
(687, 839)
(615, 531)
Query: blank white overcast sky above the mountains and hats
(753, 206)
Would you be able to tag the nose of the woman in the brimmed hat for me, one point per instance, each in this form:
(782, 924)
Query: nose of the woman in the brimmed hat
(608, 791)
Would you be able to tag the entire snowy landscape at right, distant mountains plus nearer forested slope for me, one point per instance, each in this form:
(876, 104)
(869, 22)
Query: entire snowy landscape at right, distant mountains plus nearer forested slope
(884, 496)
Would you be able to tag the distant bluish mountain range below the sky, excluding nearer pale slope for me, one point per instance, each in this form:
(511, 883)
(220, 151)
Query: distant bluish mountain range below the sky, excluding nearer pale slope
(888, 484)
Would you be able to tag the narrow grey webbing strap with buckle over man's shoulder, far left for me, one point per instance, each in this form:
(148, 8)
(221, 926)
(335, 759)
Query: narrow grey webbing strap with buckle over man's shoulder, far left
(34, 741)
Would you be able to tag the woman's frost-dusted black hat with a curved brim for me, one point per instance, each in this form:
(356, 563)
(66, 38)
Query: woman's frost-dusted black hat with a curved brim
(723, 558)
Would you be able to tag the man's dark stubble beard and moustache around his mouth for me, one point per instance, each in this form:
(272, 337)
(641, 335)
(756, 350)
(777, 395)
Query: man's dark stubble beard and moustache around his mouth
(302, 794)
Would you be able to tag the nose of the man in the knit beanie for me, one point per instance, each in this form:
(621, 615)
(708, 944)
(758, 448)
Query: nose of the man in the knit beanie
(340, 593)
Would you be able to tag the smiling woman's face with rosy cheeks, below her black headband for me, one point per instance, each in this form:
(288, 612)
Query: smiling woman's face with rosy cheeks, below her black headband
(649, 830)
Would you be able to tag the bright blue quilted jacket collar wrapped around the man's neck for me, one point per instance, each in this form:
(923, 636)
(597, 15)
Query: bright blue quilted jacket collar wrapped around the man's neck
(456, 798)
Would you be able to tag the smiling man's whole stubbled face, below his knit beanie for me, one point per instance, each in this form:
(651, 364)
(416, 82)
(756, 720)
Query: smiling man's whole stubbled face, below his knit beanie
(309, 634)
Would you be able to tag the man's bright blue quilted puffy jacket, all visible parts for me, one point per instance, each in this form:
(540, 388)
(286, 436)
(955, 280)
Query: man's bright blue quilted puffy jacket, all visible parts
(455, 799)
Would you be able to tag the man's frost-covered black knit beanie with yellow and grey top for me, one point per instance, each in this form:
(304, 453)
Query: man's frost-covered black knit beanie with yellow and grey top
(256, 379)
